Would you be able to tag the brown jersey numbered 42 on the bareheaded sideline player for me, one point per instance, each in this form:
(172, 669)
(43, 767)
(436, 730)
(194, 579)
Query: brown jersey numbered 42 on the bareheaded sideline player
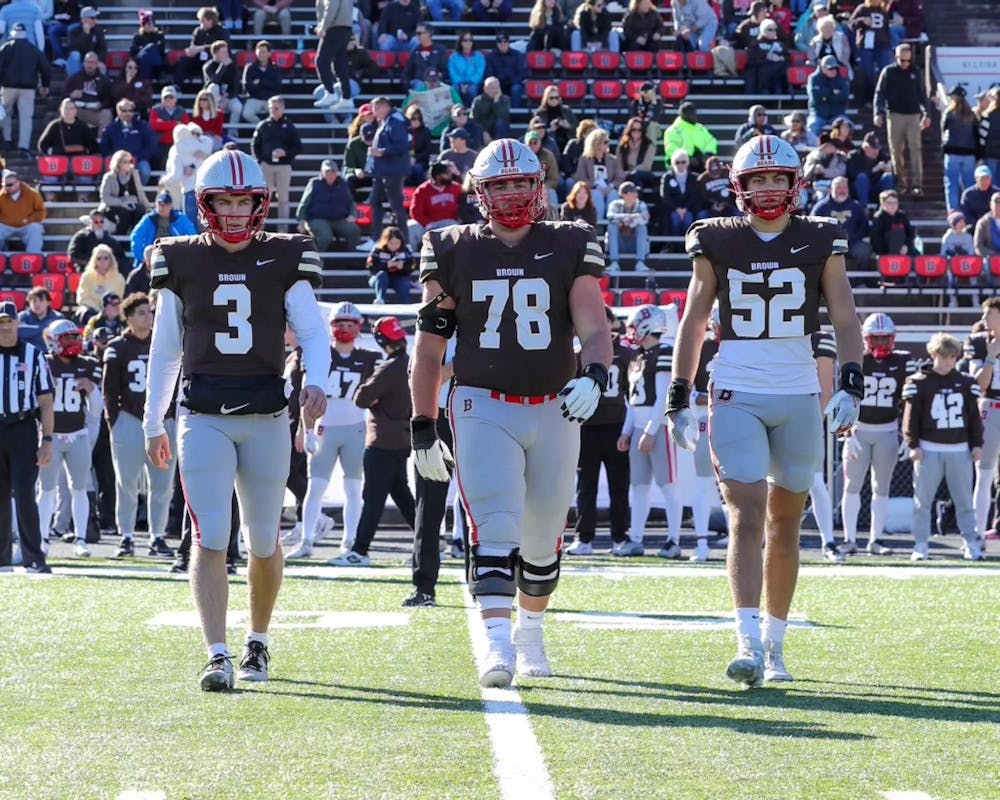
(941, 409)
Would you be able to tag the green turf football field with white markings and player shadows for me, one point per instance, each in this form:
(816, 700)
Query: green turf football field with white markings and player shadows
(896, 693)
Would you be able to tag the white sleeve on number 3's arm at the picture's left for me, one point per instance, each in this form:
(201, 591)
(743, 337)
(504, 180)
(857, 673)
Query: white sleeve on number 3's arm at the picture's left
(164, 361)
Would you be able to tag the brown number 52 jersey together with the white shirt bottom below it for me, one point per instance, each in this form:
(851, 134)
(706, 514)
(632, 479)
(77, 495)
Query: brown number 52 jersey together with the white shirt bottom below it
(769, 289)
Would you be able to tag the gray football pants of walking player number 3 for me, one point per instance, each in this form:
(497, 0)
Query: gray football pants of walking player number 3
(252, 452)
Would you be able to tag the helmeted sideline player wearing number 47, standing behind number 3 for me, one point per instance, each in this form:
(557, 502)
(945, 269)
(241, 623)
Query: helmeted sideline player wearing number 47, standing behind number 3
(340, 434)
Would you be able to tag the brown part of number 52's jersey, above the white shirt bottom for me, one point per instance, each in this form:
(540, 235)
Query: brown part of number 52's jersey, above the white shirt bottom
(772, 289)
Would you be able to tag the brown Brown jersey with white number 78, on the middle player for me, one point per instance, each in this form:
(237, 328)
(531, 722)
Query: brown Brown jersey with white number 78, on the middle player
(514, 328)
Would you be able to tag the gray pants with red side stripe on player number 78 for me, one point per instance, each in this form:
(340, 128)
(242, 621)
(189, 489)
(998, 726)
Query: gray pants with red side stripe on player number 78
(516, 470)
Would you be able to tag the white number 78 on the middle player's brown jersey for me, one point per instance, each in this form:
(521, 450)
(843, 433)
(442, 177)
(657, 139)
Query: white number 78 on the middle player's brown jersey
(531, 302)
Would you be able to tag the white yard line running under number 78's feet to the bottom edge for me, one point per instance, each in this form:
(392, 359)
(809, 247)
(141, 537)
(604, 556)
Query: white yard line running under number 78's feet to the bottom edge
(518, 762)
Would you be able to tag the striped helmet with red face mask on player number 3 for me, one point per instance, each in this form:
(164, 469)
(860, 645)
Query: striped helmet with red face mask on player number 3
(232, 172)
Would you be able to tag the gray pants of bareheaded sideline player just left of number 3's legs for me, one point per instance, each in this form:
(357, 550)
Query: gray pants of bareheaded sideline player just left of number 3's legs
(128, 451)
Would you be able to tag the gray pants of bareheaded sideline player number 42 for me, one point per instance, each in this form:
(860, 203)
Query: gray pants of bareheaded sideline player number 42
(956, 469)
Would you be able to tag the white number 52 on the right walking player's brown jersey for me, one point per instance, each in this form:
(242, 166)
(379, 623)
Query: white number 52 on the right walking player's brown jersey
(774, 314)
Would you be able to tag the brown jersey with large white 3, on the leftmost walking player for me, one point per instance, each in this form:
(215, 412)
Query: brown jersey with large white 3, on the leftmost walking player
(234, 303)
